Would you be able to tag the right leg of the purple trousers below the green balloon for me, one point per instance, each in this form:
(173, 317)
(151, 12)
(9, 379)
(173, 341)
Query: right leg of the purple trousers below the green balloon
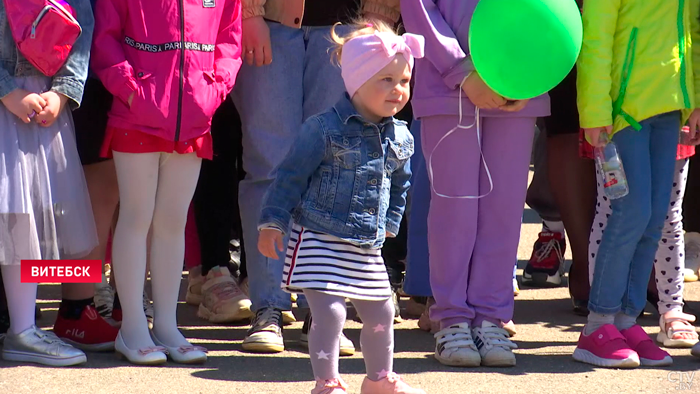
(490, 289)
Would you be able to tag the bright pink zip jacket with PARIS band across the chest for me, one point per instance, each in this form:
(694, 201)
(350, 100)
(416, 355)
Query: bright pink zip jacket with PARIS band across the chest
(179, 58)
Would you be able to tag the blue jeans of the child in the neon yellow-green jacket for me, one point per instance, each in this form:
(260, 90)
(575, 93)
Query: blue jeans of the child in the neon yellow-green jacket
(626, 255)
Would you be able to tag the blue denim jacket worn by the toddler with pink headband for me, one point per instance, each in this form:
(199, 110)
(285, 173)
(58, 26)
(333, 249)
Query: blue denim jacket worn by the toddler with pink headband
(343, 176)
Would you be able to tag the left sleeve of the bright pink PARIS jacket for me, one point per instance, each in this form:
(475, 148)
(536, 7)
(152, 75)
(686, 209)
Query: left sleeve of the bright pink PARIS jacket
(108, 59)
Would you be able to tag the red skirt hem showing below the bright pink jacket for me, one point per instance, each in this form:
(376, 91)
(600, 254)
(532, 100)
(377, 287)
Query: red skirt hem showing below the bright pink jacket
(132, 141)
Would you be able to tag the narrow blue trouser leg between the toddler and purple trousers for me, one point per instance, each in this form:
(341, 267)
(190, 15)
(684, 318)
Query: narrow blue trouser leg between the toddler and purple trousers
(417, 280)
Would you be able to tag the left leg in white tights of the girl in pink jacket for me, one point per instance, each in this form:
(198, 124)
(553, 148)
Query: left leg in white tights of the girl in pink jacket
(137, 174)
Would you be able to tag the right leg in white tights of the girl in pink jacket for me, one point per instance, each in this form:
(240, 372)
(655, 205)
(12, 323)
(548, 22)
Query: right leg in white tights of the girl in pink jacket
(177, 180)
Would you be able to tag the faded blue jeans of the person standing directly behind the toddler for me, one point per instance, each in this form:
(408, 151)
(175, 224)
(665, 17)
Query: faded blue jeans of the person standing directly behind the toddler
(273, 101)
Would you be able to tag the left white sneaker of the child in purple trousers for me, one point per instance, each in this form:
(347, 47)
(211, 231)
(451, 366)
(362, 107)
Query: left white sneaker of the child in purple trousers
(454, 346)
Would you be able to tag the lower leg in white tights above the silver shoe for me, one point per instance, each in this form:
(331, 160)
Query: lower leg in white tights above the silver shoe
(21, 299)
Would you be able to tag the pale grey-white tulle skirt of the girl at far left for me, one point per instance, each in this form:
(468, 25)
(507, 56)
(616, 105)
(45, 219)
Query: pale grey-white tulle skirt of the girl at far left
(45, 210)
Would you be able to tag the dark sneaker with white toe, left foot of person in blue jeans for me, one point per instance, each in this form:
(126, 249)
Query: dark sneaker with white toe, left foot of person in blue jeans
(265, 334)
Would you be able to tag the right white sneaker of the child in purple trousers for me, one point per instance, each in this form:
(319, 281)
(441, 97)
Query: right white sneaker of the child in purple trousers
(495, 346)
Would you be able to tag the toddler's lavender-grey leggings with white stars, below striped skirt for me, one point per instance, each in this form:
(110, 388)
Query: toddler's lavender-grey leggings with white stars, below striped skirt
(377, 337)
